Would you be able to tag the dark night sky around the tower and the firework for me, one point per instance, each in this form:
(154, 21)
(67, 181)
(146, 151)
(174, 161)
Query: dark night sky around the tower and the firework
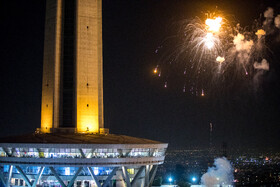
(135, 102)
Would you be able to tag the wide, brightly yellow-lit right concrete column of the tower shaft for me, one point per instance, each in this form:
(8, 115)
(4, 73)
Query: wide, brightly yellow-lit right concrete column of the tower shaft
(89, 71)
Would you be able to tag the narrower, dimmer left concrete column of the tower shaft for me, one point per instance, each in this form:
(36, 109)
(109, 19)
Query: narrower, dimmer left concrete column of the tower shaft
(51, 67)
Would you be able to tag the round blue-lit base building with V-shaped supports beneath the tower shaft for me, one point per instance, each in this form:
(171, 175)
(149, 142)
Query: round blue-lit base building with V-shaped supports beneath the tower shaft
(79, 160)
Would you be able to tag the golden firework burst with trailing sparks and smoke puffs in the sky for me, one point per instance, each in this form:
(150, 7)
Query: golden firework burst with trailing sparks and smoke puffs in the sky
(213, 49)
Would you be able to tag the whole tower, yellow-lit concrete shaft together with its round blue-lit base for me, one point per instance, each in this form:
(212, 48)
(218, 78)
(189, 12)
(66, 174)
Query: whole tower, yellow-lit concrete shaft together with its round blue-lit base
(72, 147)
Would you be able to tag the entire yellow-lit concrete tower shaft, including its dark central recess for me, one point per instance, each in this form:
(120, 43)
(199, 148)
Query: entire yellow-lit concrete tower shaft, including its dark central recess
(72, 90)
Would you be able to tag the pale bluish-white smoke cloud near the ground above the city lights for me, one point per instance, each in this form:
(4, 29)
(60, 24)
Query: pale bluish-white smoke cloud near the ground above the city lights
(219, 175)
